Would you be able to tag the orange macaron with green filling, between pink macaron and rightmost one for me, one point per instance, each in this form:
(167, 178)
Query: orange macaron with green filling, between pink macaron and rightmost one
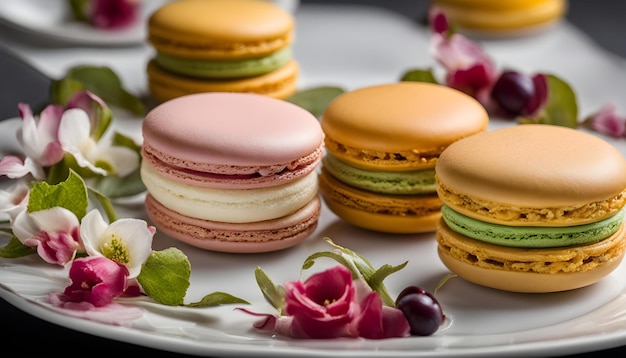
(382, 144)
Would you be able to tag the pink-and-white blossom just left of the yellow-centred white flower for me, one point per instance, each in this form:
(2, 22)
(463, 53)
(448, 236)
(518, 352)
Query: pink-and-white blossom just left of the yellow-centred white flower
(54, 232)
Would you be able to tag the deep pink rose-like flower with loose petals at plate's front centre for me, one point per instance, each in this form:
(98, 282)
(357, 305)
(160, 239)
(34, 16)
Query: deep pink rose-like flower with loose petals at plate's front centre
(330, 304)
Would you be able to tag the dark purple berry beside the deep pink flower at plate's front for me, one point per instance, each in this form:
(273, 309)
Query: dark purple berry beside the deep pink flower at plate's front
(421, 309)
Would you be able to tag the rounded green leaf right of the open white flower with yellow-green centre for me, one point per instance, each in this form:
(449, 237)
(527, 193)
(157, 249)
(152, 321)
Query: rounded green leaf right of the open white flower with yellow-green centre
(165, 276)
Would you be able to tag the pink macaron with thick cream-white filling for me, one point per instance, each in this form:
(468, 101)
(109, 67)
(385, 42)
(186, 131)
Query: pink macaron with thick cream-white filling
(232, 172)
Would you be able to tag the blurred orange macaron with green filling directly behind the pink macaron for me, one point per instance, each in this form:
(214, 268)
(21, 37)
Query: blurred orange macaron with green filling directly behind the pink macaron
(221, 46)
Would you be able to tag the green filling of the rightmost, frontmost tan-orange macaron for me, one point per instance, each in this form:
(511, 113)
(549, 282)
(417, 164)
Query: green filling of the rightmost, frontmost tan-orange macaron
(531, 236)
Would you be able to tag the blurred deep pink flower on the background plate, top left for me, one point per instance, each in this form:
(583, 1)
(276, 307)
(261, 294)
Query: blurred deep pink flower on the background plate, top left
(114, 14)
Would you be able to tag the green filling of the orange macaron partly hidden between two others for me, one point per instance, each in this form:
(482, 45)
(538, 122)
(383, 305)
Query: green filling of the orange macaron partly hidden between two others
(396, 183)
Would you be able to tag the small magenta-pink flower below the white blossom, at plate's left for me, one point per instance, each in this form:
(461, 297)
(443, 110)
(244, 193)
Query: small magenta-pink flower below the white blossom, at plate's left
(95, 280)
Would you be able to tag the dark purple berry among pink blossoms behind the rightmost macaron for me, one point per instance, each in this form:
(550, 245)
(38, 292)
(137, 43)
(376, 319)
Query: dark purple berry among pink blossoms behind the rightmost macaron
(512, 92)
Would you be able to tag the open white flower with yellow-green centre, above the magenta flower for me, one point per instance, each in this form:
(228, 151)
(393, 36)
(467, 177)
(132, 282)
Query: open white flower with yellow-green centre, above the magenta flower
(127, 241)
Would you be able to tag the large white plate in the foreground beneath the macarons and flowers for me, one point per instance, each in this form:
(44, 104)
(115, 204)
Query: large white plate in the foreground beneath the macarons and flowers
(484, 322)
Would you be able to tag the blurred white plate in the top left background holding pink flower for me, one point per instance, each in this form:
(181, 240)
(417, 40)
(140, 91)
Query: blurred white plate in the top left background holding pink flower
(51, 19)
